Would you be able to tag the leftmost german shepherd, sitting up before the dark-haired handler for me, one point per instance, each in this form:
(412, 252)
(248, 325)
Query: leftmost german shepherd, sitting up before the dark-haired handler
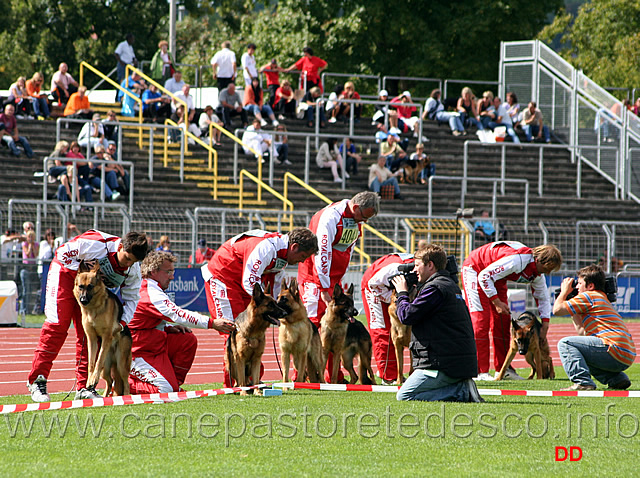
(101, 312)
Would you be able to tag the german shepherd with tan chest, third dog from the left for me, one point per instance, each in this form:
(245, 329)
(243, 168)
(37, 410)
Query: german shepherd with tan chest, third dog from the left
(298, 337)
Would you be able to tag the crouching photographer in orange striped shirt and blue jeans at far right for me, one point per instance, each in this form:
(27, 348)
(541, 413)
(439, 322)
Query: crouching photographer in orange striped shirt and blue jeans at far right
(604, 347)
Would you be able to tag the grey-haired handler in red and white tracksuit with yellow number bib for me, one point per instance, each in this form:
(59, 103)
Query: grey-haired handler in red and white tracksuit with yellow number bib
(338, 227)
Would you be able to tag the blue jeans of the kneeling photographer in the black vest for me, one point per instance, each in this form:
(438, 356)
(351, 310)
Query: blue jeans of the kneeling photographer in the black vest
(422, 386)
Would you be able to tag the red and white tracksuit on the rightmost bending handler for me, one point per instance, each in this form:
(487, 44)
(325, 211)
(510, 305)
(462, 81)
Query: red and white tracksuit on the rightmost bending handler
(484, 276)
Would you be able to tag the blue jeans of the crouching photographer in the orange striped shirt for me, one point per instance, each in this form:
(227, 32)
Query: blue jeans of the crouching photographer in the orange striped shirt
(584, 356)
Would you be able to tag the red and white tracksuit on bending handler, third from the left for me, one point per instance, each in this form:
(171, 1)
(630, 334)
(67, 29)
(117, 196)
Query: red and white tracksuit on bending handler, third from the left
(244, 260)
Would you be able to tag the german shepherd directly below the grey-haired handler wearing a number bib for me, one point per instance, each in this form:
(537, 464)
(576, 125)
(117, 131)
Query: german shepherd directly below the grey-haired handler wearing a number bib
(333, 330)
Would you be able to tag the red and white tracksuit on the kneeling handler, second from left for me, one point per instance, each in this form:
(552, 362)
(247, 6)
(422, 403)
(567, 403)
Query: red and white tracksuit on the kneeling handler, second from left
(161, 359)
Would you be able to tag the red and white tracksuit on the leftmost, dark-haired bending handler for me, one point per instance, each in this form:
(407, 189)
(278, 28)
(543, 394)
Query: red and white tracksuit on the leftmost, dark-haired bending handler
(61, 306)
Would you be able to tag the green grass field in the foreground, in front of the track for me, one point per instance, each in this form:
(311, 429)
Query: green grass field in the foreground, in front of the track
(308, 433)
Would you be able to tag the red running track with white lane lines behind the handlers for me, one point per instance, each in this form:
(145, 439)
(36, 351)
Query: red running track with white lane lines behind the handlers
(17, 347)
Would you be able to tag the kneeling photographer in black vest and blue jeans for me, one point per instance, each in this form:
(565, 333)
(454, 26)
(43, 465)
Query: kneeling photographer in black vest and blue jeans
(442, 344)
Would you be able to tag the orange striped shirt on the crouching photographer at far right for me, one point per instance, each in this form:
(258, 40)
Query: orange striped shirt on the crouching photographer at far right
(601, 320)
